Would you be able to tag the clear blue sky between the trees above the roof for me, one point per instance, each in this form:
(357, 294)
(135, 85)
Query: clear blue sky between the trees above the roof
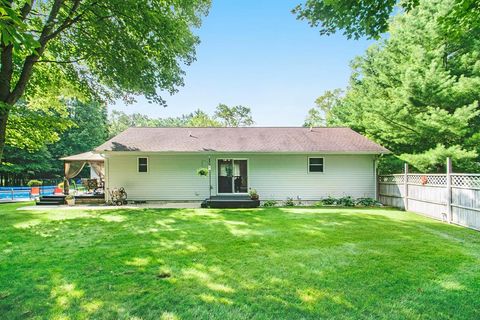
(255, 53)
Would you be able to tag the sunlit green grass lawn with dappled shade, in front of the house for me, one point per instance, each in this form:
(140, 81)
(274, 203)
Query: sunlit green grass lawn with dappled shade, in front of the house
(274, 263)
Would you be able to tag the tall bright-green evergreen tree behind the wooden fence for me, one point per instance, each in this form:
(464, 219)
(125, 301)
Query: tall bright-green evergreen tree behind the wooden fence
(416, 94)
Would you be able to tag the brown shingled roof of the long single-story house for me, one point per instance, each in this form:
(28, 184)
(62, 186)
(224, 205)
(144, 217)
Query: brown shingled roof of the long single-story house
(251, 139)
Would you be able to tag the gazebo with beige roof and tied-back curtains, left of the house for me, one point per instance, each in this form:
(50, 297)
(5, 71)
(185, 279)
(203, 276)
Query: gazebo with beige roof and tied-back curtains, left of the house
(73, 165)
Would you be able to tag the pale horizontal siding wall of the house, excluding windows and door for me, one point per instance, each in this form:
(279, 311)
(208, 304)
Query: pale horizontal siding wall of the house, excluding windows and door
(275, 176)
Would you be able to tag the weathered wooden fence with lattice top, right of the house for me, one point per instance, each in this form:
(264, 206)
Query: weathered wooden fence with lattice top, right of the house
(450, 197)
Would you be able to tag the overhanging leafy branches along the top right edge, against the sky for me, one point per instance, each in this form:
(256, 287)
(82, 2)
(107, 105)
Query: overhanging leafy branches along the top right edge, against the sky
(370, 18)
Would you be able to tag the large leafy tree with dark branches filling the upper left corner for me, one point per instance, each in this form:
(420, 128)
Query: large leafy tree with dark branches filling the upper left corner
(57, 49)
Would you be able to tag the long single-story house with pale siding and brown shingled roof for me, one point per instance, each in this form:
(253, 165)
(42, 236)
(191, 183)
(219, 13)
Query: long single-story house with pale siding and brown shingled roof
(279, 162)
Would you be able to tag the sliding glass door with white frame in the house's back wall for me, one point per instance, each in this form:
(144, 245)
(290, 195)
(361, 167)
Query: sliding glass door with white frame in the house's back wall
(232, 176)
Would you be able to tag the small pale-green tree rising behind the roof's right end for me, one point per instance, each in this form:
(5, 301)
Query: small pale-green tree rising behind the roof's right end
(321, 115)
